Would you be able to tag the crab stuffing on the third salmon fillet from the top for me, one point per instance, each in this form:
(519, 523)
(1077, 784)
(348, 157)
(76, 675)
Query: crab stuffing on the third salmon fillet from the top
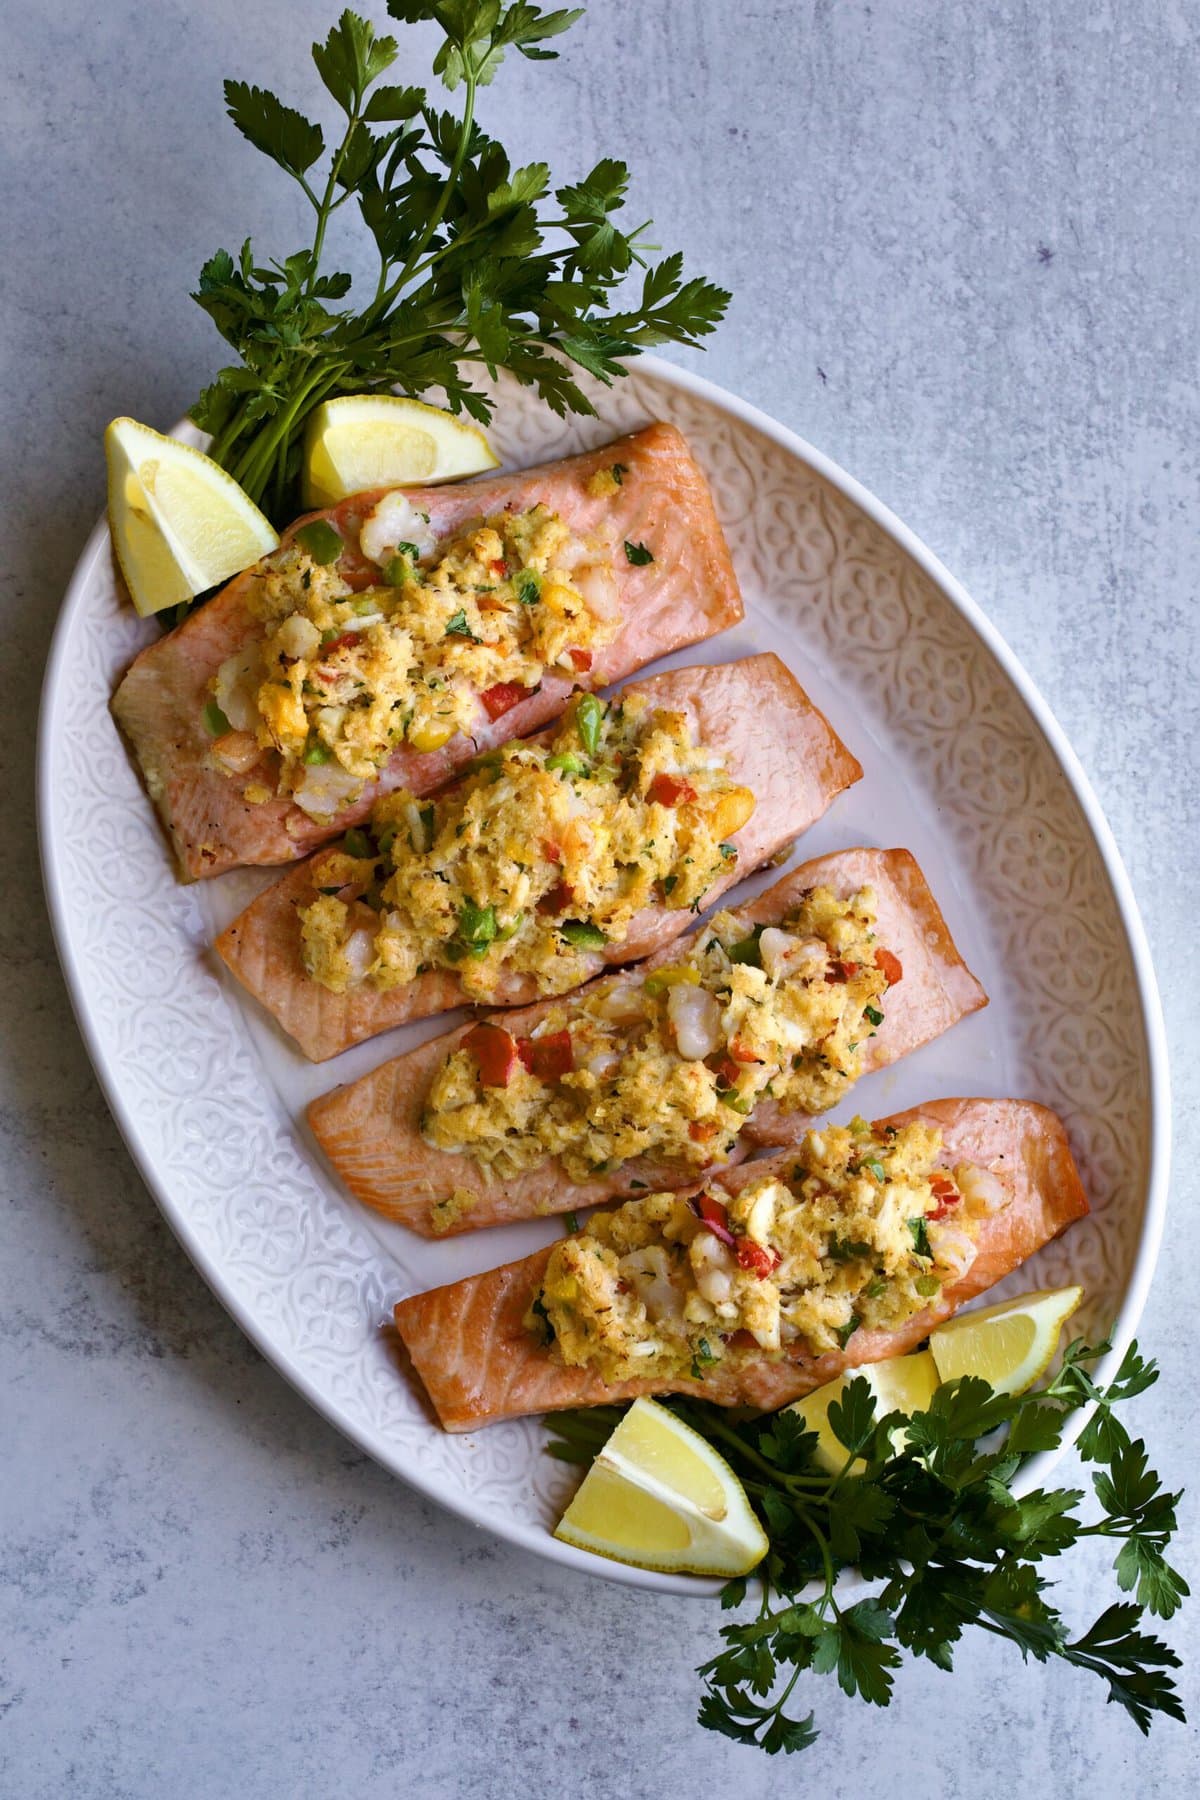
(668, 1063)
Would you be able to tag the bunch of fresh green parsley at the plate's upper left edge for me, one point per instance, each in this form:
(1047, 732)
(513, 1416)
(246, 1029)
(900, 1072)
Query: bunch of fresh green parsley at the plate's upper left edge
(472, 271)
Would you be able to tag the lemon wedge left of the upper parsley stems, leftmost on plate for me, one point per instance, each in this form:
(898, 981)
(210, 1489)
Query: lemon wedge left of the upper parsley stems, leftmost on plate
(179, 523)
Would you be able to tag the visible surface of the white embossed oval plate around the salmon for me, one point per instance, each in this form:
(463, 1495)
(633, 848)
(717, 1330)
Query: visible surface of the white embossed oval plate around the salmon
(963, 766)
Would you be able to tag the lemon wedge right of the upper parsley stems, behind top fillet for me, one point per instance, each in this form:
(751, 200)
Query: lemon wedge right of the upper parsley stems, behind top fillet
(386, 442)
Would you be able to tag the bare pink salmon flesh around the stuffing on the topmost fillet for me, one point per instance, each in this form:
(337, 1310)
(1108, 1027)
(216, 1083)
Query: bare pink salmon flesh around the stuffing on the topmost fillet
(686, 595)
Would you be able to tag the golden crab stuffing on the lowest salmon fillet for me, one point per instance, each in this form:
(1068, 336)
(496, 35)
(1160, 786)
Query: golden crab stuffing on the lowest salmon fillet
(854, 1236)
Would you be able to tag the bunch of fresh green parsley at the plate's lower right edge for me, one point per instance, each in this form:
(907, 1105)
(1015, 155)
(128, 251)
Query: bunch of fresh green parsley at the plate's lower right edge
(938, 1525)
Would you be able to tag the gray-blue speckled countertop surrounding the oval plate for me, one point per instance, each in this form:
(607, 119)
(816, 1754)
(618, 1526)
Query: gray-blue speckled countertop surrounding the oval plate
(963, 247)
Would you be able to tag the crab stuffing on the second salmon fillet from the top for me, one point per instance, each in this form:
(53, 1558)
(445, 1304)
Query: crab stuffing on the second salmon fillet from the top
(535, 861)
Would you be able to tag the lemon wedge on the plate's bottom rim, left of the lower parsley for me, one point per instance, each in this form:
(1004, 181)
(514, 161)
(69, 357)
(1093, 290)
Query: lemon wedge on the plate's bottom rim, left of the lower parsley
(659, 1497)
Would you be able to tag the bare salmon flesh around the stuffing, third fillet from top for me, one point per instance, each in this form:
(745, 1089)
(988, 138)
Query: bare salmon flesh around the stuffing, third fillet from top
(372, 1129)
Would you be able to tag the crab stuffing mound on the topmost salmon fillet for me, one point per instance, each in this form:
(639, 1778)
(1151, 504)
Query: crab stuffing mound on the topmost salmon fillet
(452, 634)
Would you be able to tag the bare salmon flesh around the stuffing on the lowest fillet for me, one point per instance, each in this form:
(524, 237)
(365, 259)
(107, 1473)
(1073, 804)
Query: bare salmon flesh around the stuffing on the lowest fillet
(479, 1358)
